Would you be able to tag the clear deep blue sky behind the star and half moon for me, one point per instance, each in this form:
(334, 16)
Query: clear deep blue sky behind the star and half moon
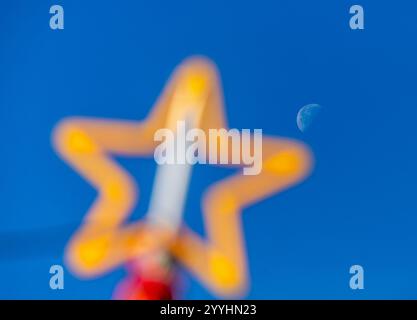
(112, 60)
